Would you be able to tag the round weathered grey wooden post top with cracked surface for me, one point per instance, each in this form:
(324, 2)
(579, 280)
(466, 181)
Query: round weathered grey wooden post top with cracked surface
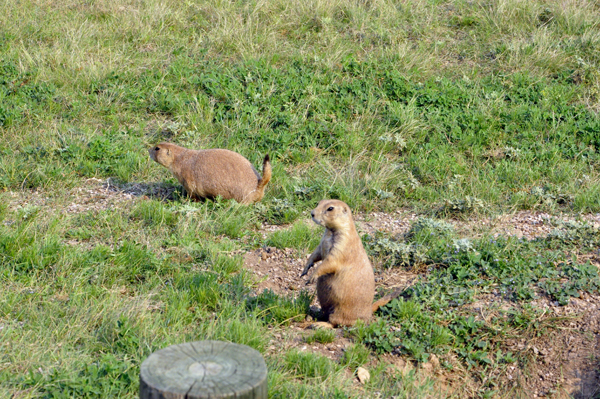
(203, 370)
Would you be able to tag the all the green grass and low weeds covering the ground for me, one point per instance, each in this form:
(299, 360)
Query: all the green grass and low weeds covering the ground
(453, 109)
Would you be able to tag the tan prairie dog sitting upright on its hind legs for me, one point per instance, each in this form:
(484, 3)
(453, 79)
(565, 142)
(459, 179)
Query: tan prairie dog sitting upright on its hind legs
(345, 279)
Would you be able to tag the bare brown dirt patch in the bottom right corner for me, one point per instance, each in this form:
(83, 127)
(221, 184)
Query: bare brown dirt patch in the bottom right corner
(564, 361)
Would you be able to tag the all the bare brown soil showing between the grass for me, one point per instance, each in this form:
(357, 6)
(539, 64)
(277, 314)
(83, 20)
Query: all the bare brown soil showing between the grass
(563, 363)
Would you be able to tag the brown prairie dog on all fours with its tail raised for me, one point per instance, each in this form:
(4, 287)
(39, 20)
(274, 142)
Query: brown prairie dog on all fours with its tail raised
(214, 172)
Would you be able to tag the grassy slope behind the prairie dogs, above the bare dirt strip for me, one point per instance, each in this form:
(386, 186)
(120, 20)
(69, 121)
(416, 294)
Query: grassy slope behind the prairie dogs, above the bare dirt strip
(361, 123)
